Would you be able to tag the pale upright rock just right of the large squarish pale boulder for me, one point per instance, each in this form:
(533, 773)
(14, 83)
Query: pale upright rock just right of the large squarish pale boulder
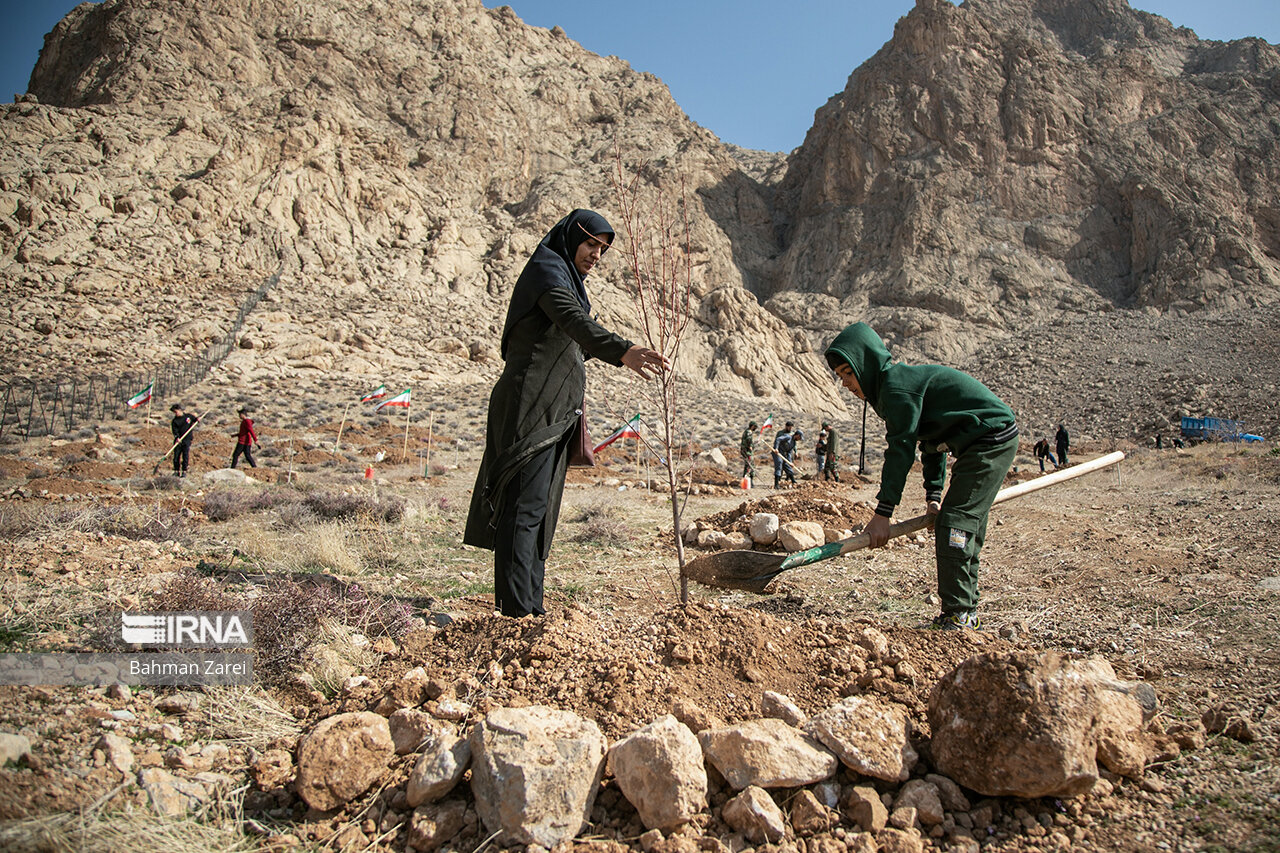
(661, 772)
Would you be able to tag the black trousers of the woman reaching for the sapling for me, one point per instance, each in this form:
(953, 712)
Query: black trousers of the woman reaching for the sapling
(518, 563)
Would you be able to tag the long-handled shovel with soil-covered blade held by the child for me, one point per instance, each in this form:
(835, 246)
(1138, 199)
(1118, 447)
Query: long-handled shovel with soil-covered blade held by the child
(755, 571)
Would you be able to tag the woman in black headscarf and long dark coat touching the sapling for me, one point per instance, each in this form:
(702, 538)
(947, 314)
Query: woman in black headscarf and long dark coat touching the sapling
(536, 405)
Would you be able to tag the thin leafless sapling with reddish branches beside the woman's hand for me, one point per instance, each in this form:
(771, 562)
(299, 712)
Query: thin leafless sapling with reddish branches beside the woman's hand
(656, 244)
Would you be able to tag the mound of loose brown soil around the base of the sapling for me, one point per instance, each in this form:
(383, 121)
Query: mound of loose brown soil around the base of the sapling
(625, 673)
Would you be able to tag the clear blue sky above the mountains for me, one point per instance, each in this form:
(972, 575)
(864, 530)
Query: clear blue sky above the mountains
(751, 71)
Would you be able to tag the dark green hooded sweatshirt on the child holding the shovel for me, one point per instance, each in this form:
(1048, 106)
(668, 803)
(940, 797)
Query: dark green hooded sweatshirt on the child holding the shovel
(940, 408)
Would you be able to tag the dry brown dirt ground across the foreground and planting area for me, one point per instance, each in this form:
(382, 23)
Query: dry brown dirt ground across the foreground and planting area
(1167, 567)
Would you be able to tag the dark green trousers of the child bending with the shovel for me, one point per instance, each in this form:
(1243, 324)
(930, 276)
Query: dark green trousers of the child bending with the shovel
(962, 526)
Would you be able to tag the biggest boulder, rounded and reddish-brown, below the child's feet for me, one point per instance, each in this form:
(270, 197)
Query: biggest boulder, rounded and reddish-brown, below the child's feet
(1027, 724)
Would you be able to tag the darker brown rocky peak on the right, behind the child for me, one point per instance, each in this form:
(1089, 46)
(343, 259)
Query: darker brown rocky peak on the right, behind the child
(1002, 159)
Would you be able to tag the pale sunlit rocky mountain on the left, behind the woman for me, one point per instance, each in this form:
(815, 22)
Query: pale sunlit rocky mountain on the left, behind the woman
(397, 159)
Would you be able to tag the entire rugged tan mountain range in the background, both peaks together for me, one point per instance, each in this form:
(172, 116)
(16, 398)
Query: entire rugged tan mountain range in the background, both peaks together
(994, 167)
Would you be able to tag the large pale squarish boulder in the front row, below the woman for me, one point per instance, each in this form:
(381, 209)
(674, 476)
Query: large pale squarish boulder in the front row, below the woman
(536, 773)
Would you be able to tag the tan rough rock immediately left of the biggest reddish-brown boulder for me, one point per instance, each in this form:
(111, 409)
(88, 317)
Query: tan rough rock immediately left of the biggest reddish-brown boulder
(872, 738)
